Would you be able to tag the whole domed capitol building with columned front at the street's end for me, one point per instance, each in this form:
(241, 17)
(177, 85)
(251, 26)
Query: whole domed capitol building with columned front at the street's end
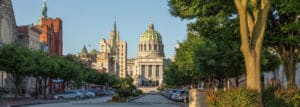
(147, 68)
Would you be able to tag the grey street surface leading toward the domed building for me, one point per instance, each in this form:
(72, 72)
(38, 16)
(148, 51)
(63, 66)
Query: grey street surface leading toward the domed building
(146, 101)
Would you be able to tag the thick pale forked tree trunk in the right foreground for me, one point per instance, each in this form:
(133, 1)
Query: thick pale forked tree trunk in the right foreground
(252, 30)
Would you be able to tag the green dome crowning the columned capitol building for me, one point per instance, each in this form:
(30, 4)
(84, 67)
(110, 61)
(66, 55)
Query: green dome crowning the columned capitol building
(151, 35)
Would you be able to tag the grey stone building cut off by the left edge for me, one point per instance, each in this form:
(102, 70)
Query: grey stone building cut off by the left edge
(7, 22)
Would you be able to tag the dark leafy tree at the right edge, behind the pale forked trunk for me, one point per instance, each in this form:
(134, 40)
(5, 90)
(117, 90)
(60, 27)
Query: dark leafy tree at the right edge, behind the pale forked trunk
(283, 35)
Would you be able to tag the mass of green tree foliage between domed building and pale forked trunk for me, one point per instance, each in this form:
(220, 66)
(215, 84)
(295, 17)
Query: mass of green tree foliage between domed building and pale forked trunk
(211, 50)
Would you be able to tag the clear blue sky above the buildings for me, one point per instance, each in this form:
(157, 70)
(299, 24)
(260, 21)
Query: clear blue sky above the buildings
(86, 22)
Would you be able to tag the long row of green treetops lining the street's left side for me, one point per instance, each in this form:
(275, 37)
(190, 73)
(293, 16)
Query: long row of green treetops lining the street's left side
(20, 62)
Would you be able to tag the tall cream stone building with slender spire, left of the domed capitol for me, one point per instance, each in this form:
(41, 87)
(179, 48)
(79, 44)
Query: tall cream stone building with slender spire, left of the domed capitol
(113, 54)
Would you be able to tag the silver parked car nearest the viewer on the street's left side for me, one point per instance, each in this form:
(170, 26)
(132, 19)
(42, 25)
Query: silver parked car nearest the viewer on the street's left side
(69, 95)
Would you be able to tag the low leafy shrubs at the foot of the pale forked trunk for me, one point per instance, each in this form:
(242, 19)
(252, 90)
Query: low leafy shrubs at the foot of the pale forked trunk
(272, 97)
